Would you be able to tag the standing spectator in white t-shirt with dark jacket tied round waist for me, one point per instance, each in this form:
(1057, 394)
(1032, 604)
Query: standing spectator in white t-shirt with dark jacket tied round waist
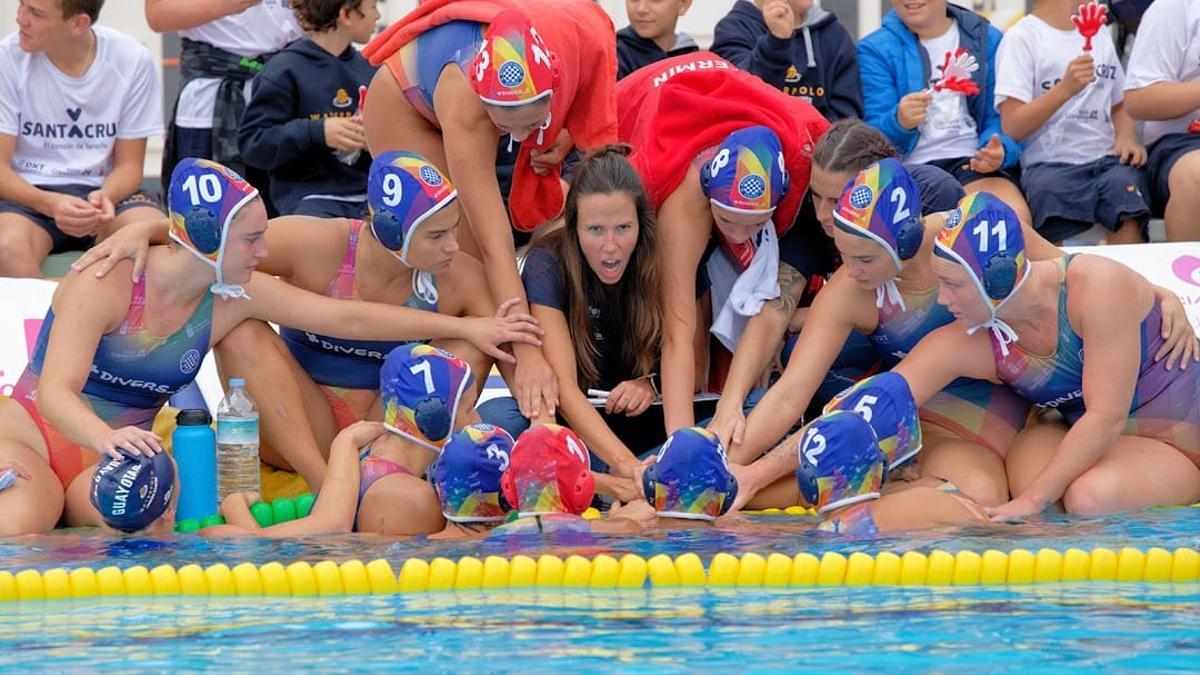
(224, 46)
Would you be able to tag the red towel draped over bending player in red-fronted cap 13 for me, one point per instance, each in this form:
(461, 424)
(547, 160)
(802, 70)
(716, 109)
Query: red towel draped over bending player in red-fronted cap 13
(579, 34)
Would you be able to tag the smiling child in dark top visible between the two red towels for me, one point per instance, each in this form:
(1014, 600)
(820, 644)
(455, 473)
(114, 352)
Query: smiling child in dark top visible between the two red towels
(651, 35)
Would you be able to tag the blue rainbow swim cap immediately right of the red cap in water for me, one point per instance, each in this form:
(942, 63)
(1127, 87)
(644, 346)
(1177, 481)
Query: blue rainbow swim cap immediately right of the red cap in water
(692, 477)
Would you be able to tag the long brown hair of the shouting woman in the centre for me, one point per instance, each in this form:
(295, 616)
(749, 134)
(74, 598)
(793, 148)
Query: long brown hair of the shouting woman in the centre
(608, 171)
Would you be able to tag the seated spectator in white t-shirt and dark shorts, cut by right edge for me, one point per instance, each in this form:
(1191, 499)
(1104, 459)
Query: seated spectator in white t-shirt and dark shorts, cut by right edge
(1163, 88)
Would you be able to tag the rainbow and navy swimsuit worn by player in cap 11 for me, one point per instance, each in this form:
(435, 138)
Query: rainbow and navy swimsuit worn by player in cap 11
(1166, 403)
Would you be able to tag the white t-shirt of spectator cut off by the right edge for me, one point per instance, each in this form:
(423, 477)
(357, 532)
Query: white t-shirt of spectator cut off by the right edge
(1167, 50)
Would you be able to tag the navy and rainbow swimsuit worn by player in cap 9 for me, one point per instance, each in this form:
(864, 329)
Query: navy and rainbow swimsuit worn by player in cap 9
(334, 362)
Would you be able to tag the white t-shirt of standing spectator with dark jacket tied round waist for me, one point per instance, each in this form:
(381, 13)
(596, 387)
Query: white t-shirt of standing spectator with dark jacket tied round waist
(266, 28)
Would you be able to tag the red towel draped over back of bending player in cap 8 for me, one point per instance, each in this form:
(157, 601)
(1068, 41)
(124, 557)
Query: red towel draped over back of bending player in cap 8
(680, 107)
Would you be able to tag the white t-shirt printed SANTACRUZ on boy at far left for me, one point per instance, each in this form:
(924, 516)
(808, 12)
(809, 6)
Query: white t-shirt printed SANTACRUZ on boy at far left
(67, 127)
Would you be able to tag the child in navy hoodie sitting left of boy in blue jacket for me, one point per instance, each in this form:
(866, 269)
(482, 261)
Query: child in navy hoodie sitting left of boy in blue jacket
(802, 50)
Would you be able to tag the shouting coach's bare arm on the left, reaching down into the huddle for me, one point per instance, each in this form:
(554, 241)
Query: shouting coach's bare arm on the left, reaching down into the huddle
(574, 404)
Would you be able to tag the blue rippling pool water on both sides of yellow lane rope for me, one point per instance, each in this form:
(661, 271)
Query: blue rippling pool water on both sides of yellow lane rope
(1055, 628)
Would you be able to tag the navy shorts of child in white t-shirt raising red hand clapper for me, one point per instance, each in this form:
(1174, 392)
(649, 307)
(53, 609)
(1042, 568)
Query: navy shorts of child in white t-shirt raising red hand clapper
(1067, 200)
